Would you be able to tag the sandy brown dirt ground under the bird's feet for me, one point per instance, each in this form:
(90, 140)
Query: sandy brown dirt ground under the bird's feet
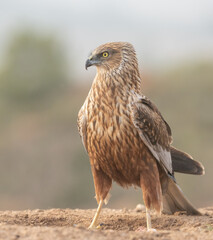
(58, 224)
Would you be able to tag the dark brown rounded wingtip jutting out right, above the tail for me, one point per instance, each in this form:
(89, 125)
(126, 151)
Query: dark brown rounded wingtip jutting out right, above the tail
(184, 163)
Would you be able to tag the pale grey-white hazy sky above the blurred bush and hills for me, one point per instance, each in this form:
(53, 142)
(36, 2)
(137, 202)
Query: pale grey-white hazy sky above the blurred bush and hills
(163, 32)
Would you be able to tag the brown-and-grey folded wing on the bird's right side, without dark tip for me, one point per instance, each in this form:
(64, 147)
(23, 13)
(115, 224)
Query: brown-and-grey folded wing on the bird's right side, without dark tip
(153, 129)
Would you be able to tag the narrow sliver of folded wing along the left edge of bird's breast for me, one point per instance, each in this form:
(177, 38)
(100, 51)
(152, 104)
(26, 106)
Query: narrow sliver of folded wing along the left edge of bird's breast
(82, 126)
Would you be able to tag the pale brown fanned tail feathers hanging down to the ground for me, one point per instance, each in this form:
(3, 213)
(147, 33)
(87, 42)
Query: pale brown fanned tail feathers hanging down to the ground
(174, 200)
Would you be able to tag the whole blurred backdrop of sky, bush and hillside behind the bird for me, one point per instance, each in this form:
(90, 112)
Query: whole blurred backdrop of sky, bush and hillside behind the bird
(43, 83)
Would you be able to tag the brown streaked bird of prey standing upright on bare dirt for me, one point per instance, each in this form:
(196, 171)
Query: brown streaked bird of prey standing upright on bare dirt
(126, 137)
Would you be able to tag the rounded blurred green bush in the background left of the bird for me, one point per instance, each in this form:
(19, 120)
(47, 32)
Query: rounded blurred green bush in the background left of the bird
(33, 68)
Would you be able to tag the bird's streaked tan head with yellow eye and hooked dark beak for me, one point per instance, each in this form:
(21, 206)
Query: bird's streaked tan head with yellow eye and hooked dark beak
(110, 56)
